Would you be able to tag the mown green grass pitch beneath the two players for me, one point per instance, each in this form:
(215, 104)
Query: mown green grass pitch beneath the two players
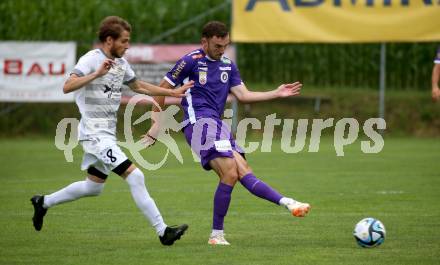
(400, 186)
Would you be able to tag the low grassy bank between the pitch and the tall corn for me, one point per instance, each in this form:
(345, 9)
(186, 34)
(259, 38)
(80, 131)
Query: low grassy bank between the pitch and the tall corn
(407, 113)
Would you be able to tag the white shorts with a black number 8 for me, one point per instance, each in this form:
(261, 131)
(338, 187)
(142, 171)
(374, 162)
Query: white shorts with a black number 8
(102, 153)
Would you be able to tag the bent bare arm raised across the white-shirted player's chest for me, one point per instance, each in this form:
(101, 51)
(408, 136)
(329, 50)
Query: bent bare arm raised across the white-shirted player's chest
(75, 82)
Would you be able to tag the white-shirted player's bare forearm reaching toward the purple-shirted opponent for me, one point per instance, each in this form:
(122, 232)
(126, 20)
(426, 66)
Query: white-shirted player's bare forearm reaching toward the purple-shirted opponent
(152, 90)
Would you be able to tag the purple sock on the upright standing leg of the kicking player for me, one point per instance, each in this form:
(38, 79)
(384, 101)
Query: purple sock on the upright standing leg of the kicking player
(222, 198)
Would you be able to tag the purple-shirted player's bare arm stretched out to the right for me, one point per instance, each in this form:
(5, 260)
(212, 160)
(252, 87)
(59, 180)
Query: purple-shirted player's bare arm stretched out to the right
(284, 90)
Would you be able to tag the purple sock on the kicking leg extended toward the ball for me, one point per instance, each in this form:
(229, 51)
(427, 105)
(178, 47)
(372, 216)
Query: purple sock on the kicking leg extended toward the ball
(260, 189)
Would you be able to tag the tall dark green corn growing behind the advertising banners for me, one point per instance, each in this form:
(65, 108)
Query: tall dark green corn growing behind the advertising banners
(320, 65)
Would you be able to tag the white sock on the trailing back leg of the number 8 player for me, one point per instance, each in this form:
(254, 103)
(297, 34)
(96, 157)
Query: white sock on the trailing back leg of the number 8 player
(73, 192)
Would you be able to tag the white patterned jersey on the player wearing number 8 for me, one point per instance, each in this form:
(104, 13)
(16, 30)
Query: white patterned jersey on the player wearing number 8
(99, 100)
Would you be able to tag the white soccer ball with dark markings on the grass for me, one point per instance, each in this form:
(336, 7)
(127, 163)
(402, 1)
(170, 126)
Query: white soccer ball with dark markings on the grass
(369, 232)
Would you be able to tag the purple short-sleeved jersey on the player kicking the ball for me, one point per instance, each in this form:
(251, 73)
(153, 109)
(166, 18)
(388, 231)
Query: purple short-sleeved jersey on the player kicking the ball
(212, 83)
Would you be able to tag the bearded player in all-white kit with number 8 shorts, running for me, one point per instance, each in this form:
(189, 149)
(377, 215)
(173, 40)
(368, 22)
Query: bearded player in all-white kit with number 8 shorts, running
(97, 79)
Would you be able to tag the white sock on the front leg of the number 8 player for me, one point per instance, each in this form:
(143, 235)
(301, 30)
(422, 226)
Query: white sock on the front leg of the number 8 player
(144, 202)
